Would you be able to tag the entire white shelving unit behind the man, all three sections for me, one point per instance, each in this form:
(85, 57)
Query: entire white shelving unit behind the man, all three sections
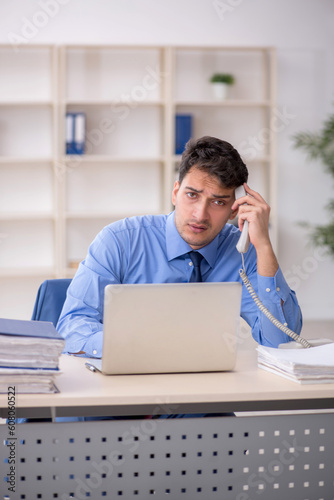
(52, 204)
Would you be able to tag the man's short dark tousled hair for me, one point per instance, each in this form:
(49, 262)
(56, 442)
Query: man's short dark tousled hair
(216, 157)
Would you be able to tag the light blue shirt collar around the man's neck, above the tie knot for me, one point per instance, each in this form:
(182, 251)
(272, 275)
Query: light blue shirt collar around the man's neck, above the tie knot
(176, 246)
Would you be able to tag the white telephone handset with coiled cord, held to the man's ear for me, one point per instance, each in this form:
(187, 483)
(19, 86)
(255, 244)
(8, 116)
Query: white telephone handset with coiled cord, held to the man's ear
(242, 247)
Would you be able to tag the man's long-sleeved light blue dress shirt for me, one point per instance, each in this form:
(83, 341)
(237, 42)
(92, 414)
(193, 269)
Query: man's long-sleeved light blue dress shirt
(149, 249)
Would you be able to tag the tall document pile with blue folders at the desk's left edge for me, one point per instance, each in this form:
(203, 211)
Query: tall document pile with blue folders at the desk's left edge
(29, 356)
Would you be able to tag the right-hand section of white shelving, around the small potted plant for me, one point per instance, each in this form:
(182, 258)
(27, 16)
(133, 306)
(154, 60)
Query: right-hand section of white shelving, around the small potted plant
(244, 118)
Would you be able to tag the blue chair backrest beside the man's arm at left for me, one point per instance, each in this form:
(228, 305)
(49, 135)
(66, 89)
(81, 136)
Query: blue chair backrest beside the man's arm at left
(50, 299)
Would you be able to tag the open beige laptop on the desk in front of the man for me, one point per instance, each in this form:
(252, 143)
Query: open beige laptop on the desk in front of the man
(169, 328)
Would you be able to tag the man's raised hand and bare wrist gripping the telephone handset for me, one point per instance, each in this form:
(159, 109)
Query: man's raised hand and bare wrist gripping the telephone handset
(256, 211)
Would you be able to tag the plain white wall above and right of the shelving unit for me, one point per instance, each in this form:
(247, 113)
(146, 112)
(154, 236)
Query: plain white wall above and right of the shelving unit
(301, 30)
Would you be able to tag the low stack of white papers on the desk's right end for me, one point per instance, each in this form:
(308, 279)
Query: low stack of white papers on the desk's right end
(306, 366)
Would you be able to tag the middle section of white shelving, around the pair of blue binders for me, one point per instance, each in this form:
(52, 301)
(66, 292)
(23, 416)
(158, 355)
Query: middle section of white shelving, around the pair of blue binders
(121, 174)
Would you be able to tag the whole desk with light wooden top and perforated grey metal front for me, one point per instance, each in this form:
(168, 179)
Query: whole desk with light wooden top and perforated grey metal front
(239, 458)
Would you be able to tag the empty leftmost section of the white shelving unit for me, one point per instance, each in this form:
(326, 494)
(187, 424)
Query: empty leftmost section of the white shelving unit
(28, 187)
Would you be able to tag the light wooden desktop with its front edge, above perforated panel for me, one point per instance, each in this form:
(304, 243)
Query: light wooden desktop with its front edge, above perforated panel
(247, 388)
